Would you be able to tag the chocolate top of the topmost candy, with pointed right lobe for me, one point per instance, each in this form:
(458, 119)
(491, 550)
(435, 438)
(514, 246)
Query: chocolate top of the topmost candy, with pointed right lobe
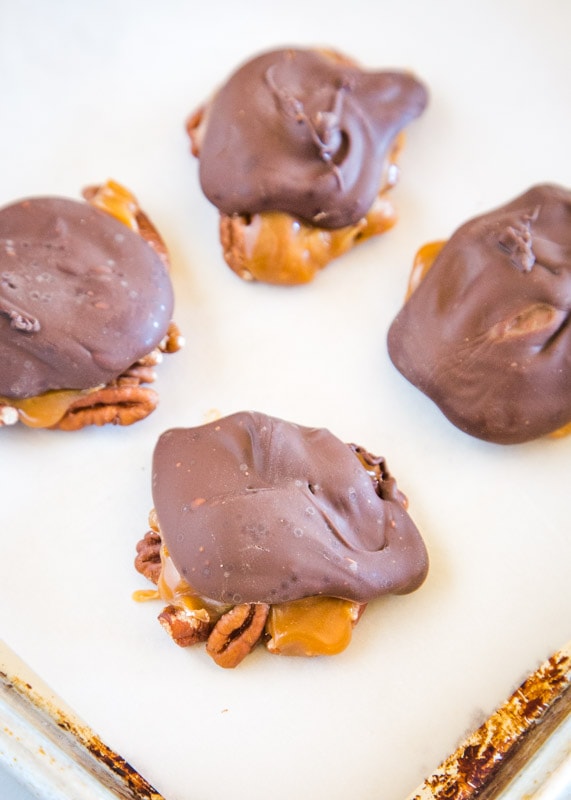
(298, 131)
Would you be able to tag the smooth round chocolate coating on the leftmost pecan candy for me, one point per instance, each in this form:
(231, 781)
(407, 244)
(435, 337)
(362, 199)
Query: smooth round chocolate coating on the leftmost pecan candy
(82, 297)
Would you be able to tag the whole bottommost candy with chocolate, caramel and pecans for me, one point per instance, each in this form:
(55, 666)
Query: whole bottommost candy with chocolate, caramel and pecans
(266, 530)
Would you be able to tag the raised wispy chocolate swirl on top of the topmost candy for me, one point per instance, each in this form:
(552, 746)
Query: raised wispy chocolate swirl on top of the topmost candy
(324, 128)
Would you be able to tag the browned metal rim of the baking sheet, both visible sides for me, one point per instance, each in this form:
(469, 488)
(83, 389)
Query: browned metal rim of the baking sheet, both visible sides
(523, 750)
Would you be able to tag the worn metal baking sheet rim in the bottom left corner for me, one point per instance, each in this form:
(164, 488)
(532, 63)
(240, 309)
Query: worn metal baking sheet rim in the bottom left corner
(51, 750)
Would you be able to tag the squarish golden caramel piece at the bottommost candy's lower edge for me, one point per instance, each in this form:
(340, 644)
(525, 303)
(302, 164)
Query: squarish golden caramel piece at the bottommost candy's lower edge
(313, 626)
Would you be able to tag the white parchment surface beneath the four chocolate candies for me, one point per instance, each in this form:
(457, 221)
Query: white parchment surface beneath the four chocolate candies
(91, 91)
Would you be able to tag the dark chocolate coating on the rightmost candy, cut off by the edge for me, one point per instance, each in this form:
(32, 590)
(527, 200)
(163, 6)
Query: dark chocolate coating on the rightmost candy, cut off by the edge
(486, 334)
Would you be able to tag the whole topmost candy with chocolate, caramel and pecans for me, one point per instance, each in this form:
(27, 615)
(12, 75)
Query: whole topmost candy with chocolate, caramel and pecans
(296, 151)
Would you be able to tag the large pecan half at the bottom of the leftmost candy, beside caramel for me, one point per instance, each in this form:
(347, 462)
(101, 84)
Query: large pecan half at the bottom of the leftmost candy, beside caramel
(118, 405)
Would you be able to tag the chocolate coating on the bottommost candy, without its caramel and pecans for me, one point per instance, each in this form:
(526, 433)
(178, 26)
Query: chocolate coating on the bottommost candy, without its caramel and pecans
(255, 509)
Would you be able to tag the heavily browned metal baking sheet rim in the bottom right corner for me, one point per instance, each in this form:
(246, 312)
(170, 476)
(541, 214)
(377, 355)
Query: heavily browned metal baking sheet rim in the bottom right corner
(510, 742)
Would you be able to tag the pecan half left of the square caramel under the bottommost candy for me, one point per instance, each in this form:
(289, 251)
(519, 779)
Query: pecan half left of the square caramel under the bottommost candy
(237, 633)
